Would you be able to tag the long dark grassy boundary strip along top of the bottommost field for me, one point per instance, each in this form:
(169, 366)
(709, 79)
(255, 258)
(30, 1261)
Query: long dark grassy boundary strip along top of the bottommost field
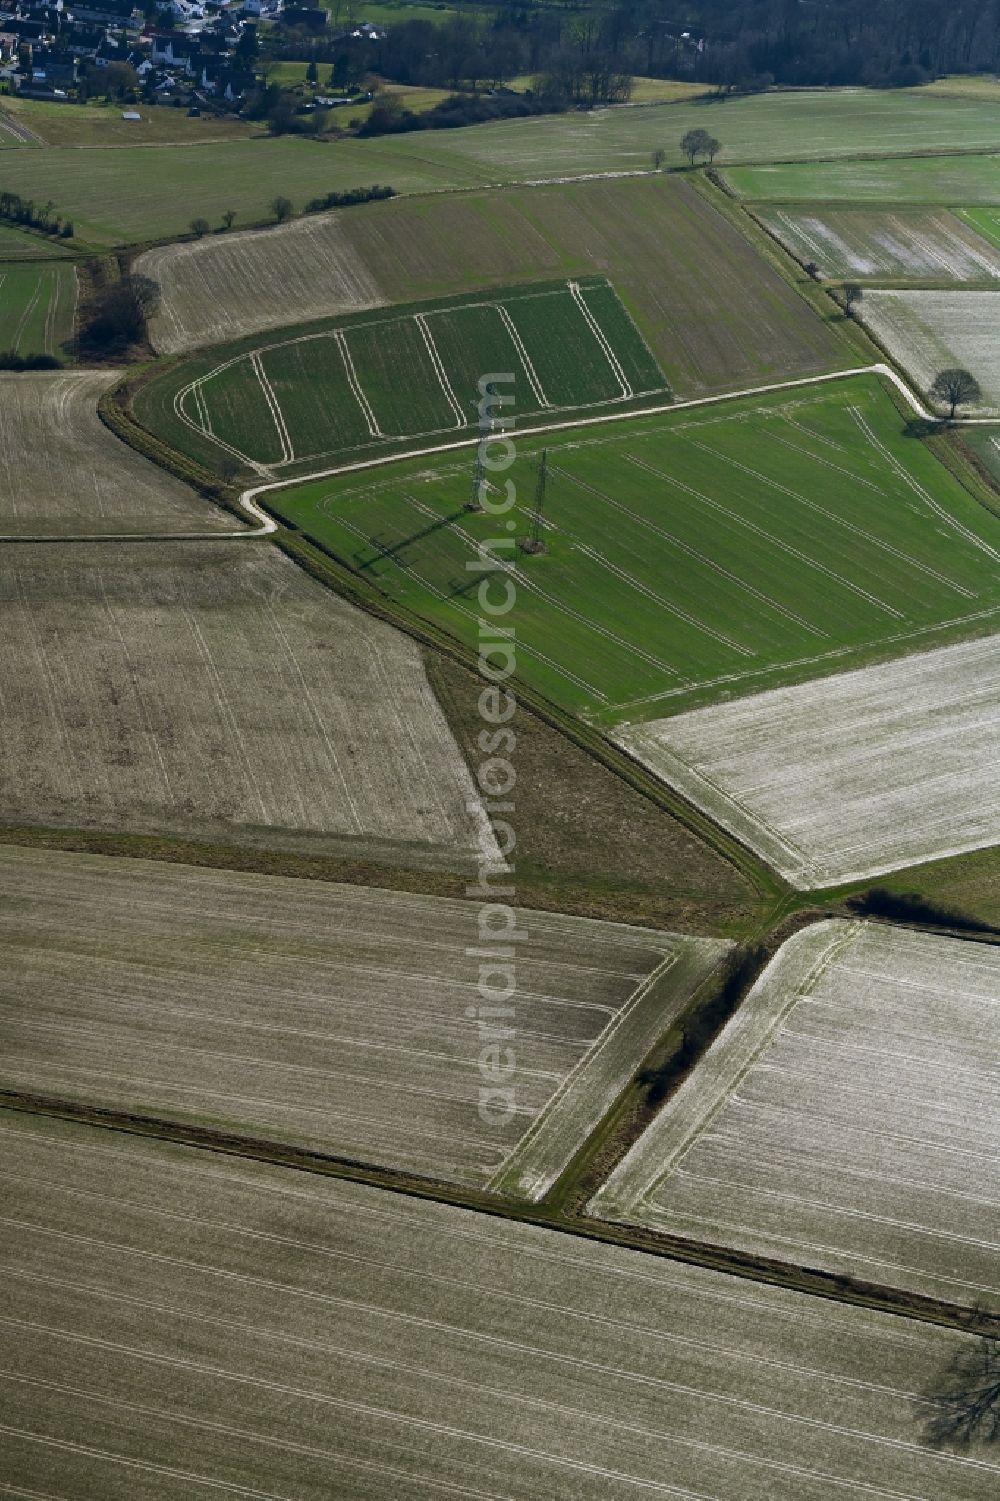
(807, 1281)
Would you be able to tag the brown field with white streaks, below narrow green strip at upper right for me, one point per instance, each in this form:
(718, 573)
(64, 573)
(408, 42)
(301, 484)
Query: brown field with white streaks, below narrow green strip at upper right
(924, 245)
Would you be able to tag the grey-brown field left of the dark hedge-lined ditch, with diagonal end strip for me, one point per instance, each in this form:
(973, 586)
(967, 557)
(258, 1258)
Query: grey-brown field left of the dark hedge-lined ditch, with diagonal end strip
(331, 1017)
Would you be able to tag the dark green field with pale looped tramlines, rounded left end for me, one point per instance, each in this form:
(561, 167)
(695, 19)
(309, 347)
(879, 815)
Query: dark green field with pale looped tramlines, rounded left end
(360, 385)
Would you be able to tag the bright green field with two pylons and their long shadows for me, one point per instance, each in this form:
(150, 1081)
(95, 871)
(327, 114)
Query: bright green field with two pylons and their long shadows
(691, 555)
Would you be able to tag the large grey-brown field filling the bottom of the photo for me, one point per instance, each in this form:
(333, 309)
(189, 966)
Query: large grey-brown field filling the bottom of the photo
(182, 1326)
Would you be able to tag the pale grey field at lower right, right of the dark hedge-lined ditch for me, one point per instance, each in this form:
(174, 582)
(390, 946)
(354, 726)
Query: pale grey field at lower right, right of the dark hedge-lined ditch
(846, 1119)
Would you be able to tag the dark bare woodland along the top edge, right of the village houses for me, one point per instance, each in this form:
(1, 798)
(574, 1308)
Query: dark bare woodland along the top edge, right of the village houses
(588, 56)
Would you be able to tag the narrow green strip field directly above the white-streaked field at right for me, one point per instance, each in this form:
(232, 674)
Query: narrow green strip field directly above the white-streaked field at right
(905, 179)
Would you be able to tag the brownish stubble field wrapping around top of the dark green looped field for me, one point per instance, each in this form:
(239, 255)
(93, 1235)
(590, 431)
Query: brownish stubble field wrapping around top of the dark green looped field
(714, 311)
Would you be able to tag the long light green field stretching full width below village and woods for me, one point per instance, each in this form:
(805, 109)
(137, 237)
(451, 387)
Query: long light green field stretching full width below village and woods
(119, 196)
